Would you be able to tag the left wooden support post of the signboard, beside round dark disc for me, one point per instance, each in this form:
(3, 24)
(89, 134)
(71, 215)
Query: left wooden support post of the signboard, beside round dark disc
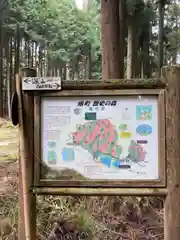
(27, 210)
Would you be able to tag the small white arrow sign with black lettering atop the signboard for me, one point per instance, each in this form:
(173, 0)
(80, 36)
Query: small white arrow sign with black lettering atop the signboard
(41, 83)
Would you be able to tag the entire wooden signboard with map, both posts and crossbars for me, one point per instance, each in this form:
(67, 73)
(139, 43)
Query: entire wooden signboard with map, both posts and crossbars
(99, 138)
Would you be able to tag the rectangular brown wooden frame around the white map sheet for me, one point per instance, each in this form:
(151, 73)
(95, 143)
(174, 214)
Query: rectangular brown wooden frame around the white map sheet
(79, 90)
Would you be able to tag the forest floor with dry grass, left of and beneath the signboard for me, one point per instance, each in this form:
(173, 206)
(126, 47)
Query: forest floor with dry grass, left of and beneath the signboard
(85, 218)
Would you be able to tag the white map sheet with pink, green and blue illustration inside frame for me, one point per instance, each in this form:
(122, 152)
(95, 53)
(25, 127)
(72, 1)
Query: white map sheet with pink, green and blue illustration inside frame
(91, 136)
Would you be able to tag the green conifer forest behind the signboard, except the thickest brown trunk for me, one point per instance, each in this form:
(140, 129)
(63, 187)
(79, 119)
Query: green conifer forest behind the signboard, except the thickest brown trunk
(58, 39)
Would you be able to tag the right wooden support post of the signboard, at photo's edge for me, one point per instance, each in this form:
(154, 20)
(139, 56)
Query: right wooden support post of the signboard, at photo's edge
(171, 76)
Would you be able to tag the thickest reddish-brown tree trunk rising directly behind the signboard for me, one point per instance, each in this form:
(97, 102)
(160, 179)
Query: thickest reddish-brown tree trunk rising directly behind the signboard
(110, 39)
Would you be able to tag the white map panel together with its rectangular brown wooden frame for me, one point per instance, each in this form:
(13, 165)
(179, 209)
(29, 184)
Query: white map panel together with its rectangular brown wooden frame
(110, 139)
